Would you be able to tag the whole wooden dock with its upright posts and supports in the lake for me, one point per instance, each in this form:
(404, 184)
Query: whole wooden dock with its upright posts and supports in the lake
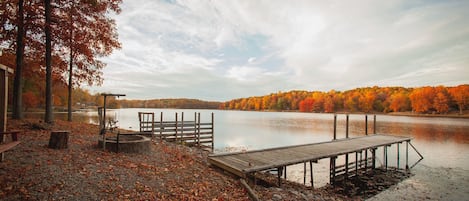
(360, 155)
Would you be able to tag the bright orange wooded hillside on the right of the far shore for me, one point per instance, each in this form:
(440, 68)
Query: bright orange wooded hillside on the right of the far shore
(426, 100)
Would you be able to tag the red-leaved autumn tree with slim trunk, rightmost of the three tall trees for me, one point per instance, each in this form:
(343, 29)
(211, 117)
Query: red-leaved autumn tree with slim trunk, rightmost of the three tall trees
(89, 33)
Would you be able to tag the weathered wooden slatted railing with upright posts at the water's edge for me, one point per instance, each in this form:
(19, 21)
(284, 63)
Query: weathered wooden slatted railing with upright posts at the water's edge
(191, 133)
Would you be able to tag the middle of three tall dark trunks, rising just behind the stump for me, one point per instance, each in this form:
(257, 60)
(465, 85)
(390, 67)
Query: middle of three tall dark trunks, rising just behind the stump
(48, 116)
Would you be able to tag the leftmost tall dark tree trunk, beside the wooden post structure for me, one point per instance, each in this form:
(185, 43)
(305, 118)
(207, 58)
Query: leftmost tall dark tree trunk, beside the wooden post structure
(18, 83)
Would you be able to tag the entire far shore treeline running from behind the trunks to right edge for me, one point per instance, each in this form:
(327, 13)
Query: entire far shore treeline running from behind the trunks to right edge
(421, 100)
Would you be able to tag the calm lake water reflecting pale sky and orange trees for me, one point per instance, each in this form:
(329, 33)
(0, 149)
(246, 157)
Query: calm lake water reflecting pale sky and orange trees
(444, 142)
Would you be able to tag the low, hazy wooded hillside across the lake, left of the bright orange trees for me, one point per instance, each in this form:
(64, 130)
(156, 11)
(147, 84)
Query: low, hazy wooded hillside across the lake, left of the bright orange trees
(178, 103)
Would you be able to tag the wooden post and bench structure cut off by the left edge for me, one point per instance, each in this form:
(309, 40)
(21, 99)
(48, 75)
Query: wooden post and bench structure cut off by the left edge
(4, 146)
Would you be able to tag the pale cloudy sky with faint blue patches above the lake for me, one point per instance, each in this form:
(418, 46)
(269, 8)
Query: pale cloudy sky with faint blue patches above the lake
(225, 49)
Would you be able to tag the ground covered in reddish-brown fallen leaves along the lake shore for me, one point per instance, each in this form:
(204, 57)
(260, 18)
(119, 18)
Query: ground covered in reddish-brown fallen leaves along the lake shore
(31, 171)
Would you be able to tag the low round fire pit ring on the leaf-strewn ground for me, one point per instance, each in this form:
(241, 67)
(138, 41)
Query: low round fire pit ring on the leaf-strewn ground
(127, 144)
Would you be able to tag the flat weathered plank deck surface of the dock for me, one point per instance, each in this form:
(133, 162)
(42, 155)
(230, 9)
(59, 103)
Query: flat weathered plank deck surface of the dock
(244, 163)
